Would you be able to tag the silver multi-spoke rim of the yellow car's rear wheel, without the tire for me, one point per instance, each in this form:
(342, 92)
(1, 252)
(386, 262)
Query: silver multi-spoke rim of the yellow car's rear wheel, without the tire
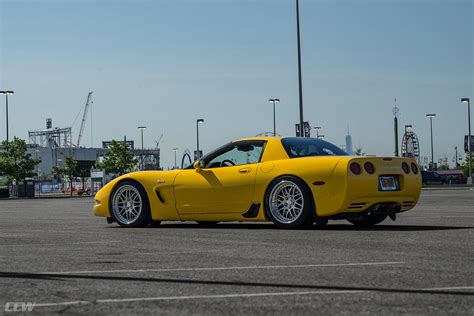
(286, 202)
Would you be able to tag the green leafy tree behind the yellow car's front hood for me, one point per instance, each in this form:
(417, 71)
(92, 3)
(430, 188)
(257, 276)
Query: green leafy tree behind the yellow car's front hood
(118, 159)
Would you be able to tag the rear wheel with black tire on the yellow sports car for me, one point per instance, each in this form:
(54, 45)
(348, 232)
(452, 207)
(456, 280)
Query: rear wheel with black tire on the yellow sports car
(305, 216)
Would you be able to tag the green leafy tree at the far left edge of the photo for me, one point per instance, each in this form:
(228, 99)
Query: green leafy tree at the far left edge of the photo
(15, 161)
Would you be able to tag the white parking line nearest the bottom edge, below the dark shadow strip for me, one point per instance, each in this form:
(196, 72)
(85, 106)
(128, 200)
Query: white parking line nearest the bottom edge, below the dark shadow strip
(191, 297)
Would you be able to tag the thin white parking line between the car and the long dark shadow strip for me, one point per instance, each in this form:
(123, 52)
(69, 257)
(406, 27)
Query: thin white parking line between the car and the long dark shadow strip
(230, 268)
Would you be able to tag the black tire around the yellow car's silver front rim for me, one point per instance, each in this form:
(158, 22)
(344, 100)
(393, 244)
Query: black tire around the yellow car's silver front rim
(142, 219)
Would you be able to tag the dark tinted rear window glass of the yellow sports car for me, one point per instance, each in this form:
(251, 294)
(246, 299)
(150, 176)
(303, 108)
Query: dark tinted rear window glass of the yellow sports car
(306, 147)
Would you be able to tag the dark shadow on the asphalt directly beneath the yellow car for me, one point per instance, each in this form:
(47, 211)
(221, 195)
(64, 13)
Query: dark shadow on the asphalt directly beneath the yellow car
(330, 227)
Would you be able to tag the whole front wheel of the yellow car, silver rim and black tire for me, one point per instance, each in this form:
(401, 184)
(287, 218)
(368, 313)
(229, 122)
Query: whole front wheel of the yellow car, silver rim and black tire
(129, 205)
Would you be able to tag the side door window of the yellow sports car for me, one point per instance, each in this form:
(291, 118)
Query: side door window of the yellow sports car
(242, 153)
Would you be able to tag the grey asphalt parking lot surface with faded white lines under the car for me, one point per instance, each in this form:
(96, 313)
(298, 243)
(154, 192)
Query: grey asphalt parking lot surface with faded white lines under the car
(56, 254)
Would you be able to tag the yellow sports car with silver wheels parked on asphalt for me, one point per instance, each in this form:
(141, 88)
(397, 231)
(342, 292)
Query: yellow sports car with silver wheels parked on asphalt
(293, 182)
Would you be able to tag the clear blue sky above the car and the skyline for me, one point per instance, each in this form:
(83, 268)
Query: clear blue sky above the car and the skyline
(163, 64)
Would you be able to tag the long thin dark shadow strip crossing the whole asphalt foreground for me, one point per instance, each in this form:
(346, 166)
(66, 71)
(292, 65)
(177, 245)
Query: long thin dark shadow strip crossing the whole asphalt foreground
(65, 277)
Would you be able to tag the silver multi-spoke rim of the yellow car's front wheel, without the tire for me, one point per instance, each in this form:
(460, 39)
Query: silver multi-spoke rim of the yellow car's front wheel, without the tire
(127, 204)
